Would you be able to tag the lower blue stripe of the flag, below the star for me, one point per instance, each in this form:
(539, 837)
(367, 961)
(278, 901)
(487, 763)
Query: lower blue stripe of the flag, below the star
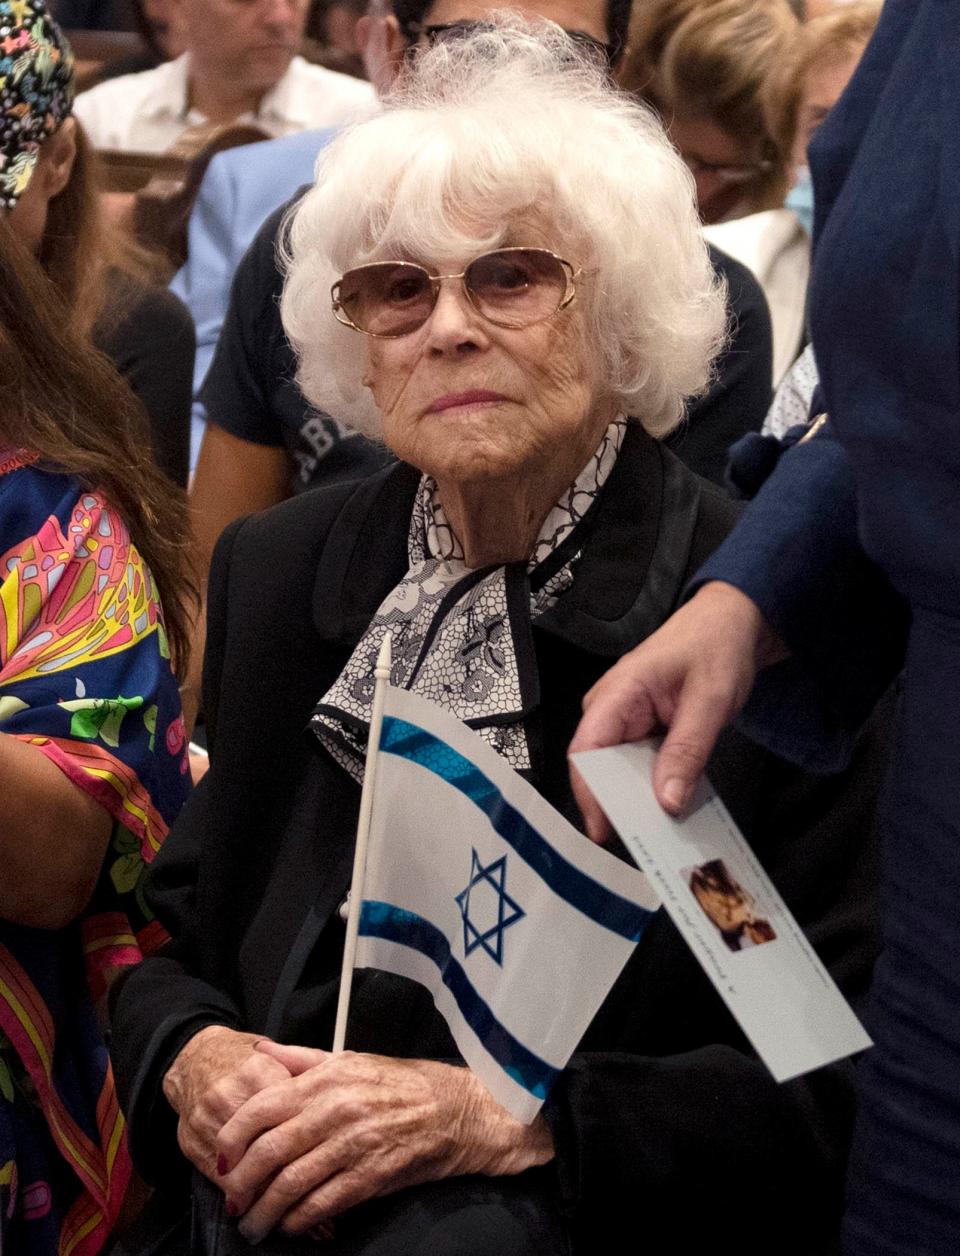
(408, 929)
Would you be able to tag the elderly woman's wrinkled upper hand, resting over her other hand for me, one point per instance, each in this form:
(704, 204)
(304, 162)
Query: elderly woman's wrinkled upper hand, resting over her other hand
(350, 1127)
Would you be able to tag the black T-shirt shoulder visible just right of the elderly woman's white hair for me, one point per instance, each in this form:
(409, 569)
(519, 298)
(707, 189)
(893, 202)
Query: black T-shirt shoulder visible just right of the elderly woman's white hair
(739, 396)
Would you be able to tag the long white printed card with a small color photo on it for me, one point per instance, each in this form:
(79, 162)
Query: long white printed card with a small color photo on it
(731, 914)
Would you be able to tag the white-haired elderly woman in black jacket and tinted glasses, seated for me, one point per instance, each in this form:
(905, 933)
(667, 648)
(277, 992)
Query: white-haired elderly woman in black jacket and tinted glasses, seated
(516, 267)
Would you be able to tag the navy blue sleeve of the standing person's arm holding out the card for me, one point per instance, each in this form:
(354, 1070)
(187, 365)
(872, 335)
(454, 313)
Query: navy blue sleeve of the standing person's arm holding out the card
(796, 552)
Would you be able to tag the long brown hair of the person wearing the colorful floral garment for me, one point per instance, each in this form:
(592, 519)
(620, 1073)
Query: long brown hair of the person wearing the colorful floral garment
(66, 403)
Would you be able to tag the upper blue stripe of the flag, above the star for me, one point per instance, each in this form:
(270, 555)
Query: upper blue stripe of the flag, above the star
(582, 892)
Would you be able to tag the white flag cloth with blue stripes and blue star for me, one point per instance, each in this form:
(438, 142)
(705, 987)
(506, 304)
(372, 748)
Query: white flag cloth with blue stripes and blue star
(481, 891)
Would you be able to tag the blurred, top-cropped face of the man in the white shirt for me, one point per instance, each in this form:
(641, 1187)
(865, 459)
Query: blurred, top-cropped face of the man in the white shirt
(246, 43)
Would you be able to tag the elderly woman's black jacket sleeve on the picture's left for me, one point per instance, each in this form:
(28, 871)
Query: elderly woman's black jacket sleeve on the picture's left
(210, 869)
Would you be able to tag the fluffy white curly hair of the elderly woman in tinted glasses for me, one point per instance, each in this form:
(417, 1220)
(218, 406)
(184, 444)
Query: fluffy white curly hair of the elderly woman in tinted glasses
(515, 124)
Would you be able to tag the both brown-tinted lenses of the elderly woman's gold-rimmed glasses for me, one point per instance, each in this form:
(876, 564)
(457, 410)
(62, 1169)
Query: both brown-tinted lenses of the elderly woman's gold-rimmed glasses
(511, 288)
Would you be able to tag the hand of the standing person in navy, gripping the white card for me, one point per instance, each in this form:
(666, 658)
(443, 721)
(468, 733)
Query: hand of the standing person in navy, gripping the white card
(692, 678)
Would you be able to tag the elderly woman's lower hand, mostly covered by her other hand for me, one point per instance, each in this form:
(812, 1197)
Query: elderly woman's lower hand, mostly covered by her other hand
(214, 1075)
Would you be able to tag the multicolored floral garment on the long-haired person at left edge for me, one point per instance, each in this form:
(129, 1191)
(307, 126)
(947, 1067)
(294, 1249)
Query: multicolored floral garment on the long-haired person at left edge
(86, 680)
